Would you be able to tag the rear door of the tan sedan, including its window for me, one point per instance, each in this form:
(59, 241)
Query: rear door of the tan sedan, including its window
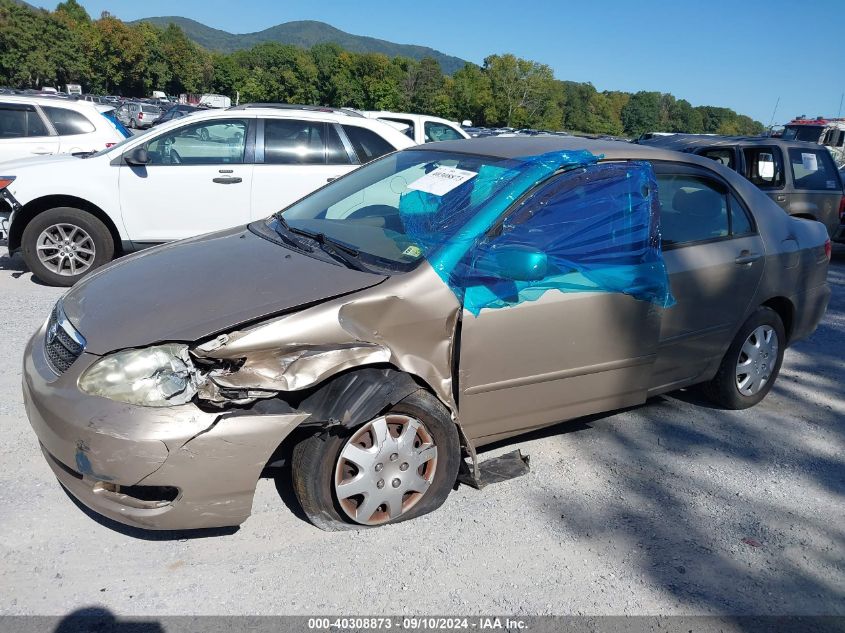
(715, 259)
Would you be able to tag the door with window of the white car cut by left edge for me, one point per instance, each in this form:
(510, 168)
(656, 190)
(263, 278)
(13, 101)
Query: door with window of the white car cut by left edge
(24, 133)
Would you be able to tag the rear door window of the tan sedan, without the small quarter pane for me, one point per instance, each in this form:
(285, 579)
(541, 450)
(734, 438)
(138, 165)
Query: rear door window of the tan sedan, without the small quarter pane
(691, 209)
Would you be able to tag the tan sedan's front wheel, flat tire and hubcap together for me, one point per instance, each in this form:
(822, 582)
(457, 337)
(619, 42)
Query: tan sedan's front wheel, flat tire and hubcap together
(397, 466)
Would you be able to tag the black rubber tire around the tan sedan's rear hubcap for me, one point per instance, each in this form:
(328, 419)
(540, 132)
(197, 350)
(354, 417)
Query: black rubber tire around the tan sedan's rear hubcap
(723, 389)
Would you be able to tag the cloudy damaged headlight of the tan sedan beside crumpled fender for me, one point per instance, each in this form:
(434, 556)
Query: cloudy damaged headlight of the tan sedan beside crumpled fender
(159, 376)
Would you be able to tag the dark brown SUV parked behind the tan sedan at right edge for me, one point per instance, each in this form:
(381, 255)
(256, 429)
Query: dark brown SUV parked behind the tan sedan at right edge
(801, 177)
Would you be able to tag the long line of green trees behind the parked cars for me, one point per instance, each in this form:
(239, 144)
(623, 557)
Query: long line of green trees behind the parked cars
(108, 56)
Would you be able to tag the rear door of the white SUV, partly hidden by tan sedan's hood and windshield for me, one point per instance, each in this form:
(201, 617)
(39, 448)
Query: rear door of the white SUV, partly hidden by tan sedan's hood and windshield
(293, 158)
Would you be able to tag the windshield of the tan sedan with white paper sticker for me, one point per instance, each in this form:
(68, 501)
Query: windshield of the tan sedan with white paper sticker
(370, 210)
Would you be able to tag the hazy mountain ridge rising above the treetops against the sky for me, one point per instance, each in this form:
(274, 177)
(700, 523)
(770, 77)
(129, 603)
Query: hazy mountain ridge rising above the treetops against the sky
(302, 33)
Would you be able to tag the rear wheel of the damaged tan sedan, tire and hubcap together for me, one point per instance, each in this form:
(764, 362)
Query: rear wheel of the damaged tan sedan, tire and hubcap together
(751, 364)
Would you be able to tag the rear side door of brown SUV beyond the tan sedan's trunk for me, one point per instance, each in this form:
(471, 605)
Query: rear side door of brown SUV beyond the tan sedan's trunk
(816, 186)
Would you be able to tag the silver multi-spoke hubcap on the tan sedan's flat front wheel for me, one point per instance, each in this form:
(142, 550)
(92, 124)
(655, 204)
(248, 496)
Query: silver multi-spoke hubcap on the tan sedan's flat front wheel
(384, 469)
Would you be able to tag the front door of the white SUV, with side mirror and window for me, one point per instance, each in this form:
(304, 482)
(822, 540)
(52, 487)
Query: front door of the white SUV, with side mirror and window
(198, 180)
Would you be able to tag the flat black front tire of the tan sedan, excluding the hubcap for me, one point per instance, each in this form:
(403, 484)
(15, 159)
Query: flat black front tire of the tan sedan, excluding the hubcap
(314, 460)
